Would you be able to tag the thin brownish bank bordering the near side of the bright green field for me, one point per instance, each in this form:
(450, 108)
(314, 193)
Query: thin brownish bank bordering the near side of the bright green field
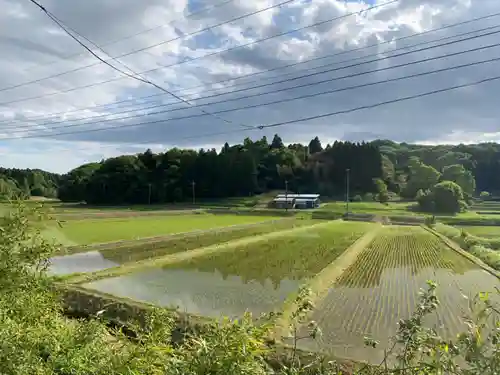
(123, 244)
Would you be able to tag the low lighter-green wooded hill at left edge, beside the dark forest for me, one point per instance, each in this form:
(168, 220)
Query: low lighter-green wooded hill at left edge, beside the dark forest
(27, 182)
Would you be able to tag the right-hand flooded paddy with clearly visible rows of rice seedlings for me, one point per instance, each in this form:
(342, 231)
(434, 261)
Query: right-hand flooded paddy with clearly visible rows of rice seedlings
(382, 286)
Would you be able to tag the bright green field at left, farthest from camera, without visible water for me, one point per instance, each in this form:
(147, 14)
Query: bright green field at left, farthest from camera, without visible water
(107, 230)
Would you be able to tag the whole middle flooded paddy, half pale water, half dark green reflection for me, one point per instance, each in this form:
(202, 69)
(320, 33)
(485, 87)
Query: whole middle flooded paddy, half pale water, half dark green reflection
(257, 277)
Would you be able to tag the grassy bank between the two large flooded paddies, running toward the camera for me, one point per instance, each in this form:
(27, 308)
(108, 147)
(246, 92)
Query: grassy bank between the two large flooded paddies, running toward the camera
(321, 283)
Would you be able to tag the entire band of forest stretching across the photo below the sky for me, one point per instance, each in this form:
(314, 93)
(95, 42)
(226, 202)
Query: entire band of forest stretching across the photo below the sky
(253, 167)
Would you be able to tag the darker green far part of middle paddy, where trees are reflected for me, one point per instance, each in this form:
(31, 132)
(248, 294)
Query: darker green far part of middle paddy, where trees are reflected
(294, 256)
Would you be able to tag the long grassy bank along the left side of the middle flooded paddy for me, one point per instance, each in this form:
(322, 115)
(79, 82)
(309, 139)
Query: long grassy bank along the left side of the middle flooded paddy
(183, 256)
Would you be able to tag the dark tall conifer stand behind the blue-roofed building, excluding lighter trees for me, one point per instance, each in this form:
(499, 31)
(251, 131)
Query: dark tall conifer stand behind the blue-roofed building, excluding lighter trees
(243, 169)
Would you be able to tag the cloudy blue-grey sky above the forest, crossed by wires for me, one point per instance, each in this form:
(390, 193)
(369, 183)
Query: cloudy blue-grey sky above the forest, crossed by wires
(60, 107)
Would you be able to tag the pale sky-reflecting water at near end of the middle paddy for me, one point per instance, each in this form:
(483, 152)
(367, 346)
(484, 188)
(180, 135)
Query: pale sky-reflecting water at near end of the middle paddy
(209, 294)
